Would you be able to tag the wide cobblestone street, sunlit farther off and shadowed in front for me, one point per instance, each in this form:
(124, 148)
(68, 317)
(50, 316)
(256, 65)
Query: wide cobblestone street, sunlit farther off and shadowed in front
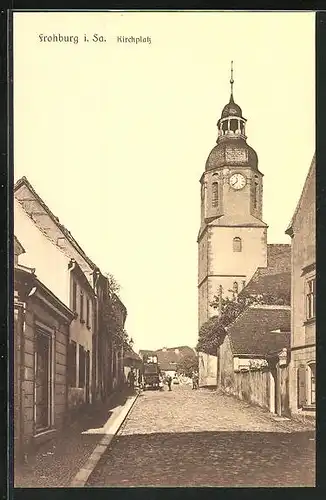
(199, 438)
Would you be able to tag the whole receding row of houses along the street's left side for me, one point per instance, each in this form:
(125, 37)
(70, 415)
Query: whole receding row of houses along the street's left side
(68, 325)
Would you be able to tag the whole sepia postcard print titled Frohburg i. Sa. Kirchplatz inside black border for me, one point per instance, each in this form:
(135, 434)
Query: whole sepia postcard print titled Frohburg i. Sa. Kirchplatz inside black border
(164, 249)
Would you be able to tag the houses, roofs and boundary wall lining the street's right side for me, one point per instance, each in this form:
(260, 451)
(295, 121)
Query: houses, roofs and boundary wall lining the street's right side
(267, 355)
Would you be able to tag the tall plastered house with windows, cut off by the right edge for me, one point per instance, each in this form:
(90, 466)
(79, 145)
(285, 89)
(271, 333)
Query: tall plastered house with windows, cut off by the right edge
(303, 329)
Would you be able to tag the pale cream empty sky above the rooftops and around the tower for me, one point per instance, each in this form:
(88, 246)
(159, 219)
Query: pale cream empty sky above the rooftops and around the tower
(114, 137)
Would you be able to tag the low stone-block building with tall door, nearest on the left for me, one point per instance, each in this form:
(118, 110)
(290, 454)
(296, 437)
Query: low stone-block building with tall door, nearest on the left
(41, 344)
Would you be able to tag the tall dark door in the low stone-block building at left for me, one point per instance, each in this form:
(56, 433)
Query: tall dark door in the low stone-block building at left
(42, 382)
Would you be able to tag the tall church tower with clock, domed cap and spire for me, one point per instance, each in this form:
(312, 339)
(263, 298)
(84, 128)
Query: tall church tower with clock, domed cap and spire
(232, 240)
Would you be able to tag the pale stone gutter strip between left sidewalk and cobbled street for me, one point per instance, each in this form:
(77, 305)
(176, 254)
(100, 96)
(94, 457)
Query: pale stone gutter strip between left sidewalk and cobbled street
(111, 428)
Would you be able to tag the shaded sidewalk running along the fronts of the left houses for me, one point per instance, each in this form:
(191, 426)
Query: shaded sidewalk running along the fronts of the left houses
(57, 462)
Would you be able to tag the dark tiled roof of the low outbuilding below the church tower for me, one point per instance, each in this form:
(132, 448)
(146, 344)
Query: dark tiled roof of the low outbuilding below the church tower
(254, 330)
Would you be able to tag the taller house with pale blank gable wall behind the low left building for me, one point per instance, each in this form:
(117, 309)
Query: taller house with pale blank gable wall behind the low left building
(80, 285)
